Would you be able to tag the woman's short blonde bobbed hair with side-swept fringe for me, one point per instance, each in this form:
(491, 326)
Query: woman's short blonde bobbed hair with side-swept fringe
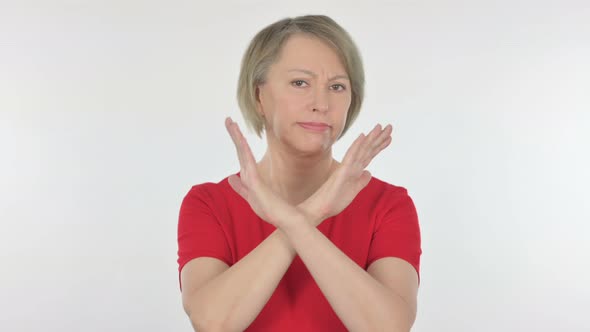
(265, 48)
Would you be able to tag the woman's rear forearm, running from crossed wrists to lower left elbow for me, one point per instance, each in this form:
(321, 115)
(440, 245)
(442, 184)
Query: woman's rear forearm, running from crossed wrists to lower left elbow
(233, 299)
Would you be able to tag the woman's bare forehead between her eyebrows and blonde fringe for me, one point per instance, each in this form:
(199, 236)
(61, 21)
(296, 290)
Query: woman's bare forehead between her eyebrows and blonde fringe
(307, 52)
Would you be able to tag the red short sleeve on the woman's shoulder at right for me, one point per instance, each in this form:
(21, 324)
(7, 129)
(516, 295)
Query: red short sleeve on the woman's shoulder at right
(397, 233)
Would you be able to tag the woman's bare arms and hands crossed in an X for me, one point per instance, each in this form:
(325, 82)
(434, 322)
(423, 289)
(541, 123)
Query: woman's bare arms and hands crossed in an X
(221, 298)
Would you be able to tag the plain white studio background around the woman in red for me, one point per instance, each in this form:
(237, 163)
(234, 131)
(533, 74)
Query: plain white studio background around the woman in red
(111, 110)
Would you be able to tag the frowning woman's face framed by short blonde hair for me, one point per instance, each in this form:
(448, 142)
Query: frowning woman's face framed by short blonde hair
(305, 97)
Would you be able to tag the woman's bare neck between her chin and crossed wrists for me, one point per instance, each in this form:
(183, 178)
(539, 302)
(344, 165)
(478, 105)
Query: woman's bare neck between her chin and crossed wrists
(295, 178)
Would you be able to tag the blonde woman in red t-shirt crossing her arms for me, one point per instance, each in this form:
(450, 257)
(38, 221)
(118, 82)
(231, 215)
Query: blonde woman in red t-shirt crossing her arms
(299, 241)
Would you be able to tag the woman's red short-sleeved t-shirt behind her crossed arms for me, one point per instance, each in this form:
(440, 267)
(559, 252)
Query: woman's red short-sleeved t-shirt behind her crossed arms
(216, 222)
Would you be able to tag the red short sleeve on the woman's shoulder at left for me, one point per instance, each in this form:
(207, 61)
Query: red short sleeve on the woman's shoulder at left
(199, 232)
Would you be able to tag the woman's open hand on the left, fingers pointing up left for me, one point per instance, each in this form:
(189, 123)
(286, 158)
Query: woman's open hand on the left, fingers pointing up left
(261, 198)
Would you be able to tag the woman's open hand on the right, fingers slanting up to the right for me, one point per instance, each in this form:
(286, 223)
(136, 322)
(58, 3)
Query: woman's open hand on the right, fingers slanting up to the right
(348, 179)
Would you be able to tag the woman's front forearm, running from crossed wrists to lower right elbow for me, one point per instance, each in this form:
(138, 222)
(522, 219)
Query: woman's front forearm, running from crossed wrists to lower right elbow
(360, 301)
